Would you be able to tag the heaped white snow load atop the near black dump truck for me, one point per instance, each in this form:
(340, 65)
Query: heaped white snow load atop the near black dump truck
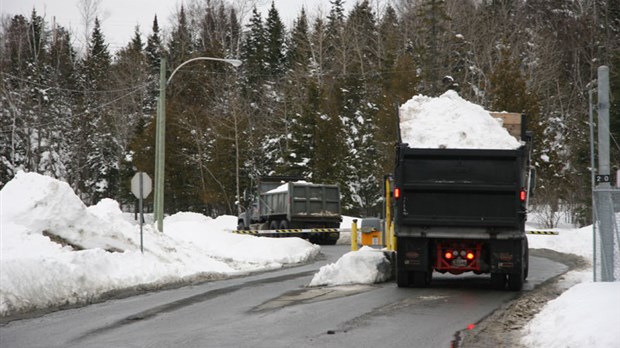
(449, 121)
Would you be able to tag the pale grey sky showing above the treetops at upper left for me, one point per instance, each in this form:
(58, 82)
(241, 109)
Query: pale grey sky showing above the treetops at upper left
(119, 17)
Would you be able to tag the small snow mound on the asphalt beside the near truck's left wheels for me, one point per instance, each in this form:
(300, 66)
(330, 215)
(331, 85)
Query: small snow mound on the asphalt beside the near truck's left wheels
(365, 266)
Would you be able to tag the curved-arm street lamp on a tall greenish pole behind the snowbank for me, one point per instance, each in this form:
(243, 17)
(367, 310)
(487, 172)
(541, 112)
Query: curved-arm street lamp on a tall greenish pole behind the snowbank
(160, 135)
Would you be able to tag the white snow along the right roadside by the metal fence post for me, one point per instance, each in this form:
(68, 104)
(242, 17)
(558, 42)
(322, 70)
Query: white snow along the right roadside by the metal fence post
(588, 313)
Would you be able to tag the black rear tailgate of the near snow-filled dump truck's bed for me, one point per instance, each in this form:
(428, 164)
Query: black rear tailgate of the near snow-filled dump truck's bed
(461, 188)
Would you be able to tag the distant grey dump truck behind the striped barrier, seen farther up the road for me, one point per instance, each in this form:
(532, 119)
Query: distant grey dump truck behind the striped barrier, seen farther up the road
(288, 206)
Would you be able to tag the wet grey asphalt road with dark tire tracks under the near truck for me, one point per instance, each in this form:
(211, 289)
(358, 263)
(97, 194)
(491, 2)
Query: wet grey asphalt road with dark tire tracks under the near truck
(276, 309)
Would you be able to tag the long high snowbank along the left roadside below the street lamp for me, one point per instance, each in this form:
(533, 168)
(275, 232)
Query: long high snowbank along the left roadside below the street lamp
(56, 251)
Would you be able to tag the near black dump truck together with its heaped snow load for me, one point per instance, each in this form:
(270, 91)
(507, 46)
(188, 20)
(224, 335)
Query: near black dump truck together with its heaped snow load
(461, 188)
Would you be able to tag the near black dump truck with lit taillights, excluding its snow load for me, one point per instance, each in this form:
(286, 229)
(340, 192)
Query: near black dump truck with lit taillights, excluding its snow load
(463, 210)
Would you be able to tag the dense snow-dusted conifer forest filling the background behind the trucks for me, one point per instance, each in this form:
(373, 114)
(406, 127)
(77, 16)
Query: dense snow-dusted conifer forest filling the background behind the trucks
(317, 100)
